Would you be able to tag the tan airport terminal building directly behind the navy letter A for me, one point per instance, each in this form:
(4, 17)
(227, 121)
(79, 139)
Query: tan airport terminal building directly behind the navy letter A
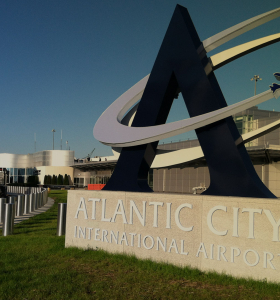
(263, 151)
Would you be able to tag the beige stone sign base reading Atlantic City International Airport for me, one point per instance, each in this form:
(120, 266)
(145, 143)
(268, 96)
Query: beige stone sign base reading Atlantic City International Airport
(231, 235)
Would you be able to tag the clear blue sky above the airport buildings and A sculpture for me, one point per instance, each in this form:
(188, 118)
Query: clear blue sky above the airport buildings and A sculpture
(63, 62)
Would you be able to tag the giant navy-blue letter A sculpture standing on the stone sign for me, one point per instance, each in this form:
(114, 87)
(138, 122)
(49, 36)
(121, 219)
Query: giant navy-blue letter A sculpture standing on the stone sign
(179, 68)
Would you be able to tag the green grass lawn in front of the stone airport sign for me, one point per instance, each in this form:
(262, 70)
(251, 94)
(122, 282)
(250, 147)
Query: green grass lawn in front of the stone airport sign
(35, 265)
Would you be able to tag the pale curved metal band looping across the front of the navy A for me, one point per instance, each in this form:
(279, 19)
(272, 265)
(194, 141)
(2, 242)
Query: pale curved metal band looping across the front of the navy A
(111, 132)
